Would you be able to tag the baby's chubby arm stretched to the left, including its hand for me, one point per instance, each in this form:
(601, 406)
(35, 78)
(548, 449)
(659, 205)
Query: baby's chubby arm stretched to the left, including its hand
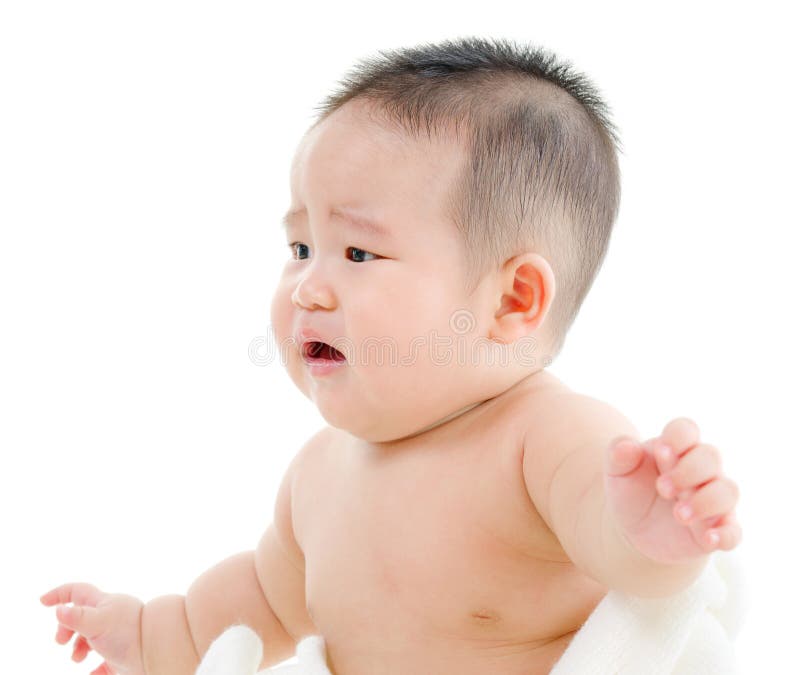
(170, 634)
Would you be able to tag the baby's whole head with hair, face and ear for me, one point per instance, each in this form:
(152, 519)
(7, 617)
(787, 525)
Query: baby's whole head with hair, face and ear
(451, 207)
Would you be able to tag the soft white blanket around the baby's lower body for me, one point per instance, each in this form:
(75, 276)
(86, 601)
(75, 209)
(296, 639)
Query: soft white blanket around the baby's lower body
(690, 633)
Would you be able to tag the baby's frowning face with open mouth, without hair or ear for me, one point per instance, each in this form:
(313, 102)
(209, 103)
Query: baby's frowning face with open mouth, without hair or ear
(389, 300)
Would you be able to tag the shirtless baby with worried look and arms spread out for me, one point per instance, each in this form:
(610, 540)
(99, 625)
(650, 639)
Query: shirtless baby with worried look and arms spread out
(464, 511)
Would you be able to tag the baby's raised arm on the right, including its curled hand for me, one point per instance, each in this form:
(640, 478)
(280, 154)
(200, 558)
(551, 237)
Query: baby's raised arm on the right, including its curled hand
(610, 520)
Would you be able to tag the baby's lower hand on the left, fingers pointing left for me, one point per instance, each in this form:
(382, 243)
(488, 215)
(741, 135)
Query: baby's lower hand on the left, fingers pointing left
(109, 624)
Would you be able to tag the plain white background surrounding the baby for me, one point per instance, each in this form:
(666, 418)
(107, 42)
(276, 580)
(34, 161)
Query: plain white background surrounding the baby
(144, 155)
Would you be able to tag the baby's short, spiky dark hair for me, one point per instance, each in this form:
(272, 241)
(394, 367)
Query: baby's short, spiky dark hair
(540, 170)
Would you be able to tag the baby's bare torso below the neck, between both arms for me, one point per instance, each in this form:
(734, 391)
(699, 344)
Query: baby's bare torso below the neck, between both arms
(437, 547)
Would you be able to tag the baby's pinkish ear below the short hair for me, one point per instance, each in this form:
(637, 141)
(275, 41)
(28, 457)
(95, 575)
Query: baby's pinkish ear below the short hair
(527, 287)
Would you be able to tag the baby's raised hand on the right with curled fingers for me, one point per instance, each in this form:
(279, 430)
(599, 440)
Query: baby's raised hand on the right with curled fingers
(650, 485)
